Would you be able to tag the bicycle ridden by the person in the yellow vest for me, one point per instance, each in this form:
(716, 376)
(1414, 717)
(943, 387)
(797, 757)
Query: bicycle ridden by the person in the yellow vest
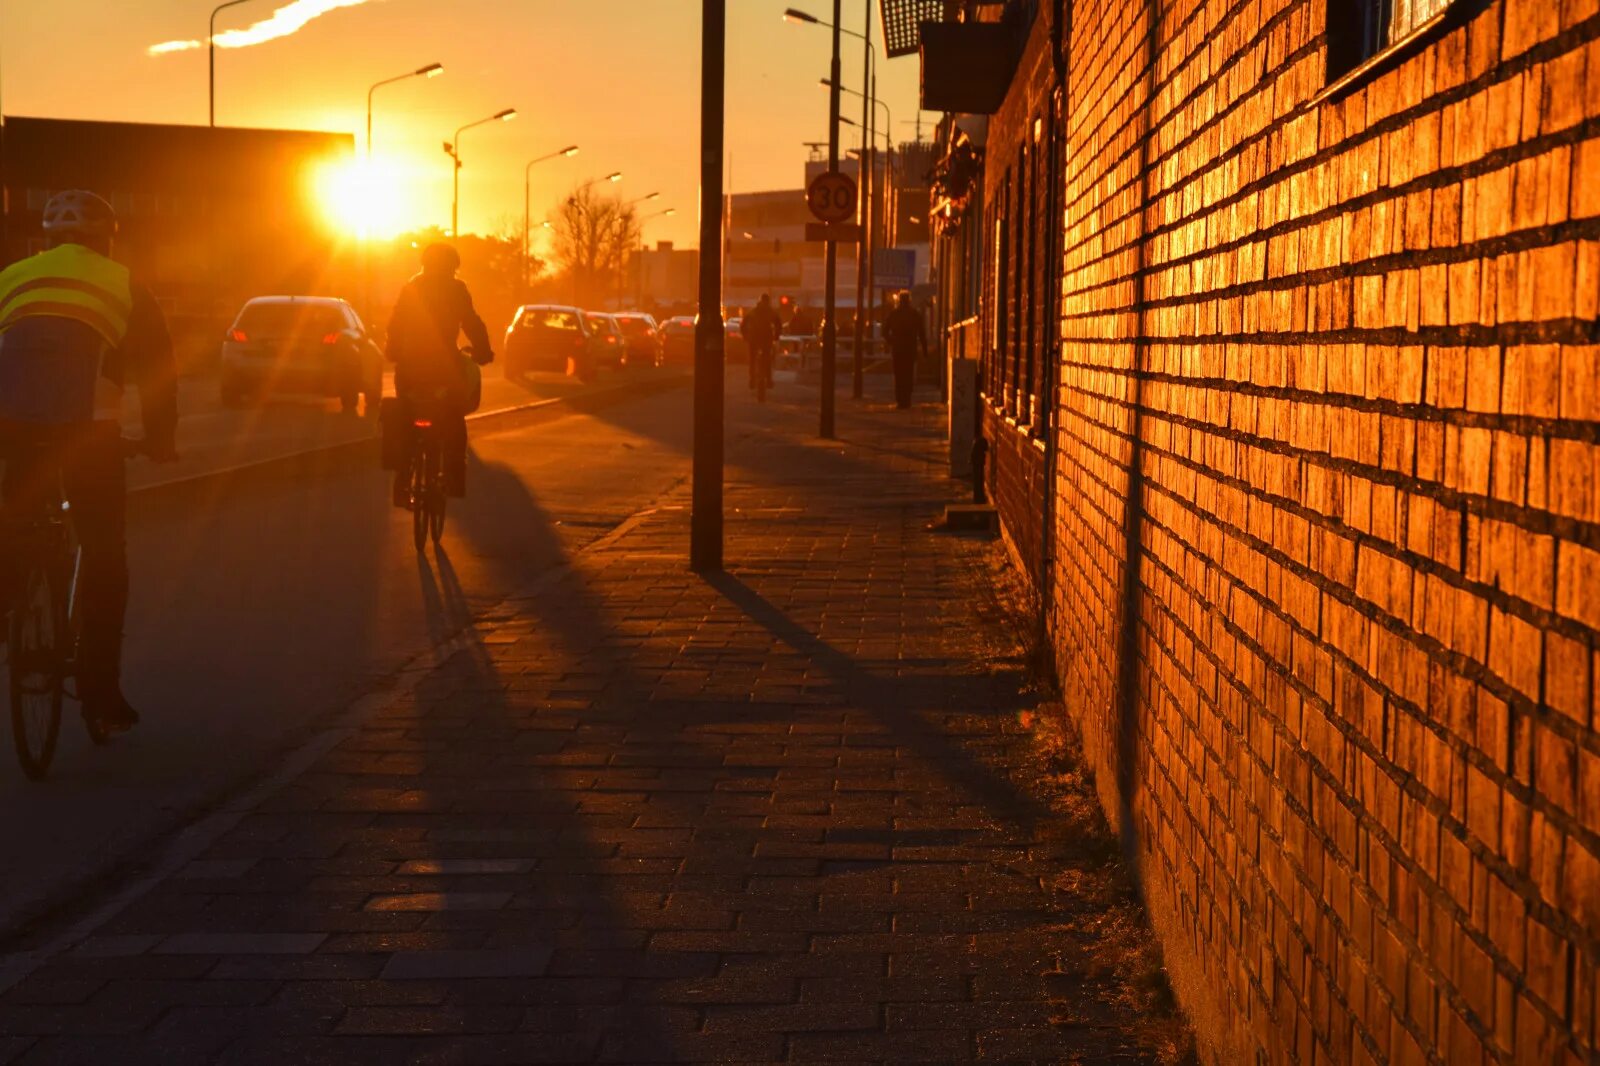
(44, 628)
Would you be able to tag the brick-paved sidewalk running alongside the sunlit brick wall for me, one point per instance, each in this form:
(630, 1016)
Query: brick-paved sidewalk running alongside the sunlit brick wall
(796, 812)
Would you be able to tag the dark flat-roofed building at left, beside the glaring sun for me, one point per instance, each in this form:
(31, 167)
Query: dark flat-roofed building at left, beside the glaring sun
(209, 217)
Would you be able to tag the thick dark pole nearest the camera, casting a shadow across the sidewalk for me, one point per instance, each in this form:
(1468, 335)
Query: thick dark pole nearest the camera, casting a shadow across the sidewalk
(706, 495)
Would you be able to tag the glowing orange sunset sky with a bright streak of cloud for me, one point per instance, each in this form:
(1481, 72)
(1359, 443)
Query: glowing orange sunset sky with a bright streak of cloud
(617, 78)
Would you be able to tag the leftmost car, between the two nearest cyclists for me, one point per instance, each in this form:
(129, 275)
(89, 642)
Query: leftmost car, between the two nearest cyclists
(302, 345)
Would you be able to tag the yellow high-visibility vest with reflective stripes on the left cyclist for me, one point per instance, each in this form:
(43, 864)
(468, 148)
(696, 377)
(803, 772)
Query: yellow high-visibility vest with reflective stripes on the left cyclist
(70, 283)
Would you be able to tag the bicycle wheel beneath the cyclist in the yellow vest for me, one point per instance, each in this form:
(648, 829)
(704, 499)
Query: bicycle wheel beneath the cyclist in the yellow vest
(36, 673)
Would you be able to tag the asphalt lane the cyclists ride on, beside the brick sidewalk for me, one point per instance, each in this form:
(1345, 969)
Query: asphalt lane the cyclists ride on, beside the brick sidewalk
(270, 599)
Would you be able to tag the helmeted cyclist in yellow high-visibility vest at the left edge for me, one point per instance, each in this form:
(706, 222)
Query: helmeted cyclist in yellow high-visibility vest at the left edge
(74, 331)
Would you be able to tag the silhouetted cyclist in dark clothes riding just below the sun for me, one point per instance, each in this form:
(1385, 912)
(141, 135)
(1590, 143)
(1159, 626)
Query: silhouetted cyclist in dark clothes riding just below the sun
(433, 311)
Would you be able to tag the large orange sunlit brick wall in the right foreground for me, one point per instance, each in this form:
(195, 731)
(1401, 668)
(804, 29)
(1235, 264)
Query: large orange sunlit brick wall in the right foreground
(1327, 524)
